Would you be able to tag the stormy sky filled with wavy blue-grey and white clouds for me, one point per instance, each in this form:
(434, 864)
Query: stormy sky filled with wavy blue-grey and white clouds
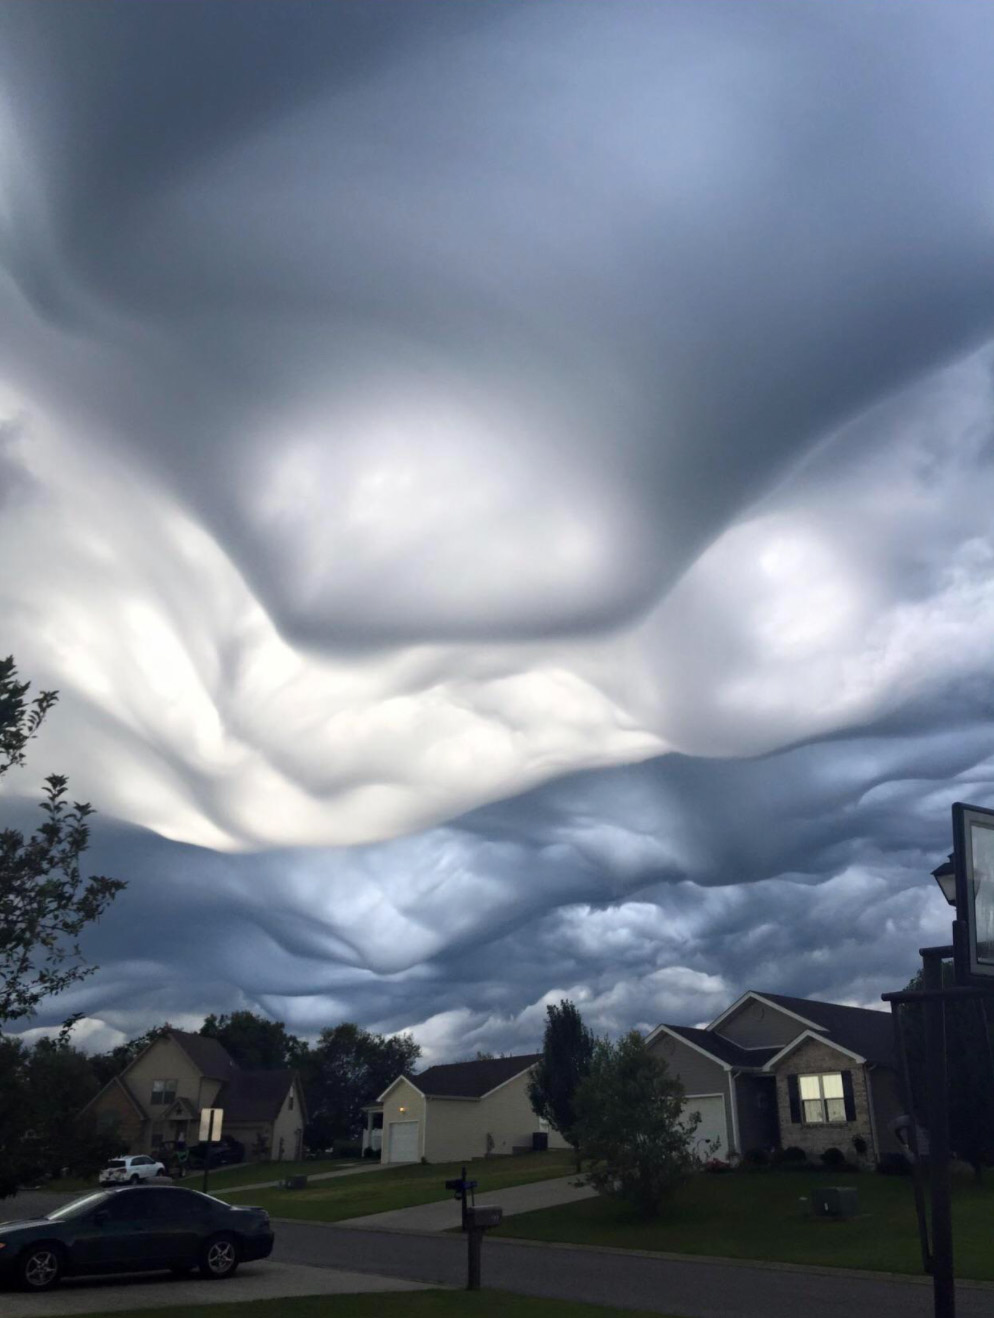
(504, 491)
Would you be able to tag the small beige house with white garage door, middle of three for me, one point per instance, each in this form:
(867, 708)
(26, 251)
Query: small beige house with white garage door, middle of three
(463, 1110)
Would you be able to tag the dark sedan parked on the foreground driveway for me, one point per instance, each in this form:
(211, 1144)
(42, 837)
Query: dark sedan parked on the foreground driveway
(139, 1229)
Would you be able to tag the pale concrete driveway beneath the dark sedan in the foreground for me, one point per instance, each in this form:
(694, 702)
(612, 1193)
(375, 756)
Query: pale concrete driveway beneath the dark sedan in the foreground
(252, 1282)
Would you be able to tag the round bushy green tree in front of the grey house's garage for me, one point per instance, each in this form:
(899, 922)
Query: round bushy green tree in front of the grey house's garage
(635, 1141)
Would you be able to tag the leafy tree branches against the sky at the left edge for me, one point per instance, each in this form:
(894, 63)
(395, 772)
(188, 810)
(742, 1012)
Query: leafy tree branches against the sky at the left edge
(45, 902)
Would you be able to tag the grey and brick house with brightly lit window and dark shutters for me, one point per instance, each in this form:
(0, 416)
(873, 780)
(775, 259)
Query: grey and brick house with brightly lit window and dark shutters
(775, 1072)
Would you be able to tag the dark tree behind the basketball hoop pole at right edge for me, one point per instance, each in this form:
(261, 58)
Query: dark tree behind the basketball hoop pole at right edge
(970, 1060)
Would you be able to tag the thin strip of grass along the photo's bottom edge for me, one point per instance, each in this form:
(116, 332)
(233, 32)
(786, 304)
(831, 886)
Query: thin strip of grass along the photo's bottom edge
(409, 1304)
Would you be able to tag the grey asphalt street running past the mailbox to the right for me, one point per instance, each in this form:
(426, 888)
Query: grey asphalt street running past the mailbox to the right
(693, 1288)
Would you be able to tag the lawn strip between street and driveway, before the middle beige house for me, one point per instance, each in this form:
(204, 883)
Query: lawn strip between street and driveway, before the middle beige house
(407, 1187)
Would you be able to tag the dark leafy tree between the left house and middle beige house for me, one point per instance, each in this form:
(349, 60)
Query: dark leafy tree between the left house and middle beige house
(347, 1068)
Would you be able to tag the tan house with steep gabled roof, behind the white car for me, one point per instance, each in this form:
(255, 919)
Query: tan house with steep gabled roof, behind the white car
(158, 1099)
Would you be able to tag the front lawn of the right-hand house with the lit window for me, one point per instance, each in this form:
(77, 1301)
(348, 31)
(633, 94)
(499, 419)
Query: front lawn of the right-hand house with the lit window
(760, 1216)
